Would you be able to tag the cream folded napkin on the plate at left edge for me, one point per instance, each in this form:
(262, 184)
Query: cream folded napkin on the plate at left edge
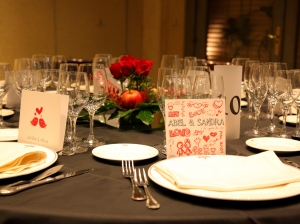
(16, 160)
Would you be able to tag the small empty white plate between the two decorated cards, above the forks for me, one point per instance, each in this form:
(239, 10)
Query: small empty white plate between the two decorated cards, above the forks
(124, 151)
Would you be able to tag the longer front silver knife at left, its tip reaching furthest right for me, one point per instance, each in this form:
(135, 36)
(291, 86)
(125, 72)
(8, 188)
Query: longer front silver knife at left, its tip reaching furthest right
(15, 189)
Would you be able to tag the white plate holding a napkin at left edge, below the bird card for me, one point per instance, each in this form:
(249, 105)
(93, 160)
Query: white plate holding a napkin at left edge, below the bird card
(51, 157)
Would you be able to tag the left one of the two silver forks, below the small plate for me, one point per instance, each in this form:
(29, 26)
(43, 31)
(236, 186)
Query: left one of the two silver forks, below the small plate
(128, 172)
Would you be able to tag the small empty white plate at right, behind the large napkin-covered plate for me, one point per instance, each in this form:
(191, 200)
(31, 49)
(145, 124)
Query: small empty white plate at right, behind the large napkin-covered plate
(274, 144)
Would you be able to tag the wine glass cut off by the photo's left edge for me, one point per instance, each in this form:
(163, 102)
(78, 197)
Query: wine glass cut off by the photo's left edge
(6, 81)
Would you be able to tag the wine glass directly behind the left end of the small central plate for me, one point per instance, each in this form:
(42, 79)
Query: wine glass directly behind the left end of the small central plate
(98, 94)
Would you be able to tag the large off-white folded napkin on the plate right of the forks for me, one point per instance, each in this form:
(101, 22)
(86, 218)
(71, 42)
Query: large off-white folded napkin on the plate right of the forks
(227, 173)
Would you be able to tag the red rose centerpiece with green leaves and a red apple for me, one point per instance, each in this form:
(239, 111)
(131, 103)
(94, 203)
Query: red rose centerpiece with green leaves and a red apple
(136, 101)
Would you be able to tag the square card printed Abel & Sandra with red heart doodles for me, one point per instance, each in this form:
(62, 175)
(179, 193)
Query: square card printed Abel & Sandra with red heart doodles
(195, 127)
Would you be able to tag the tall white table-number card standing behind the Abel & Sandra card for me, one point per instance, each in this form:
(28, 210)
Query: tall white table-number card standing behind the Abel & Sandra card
(232, 76)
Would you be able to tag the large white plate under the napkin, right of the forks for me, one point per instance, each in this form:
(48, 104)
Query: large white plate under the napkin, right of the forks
(270, 193)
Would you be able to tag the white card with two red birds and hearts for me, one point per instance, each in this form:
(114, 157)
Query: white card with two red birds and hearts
(43, 119)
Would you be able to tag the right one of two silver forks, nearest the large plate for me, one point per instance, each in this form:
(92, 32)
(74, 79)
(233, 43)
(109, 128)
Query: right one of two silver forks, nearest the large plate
(143, 181)
